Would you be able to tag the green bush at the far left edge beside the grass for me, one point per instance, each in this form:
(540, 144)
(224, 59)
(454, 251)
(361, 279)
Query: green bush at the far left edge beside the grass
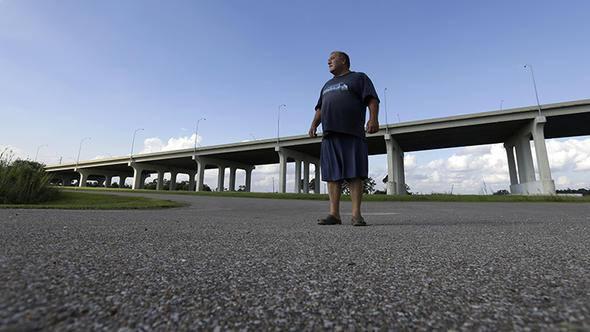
(24, 182)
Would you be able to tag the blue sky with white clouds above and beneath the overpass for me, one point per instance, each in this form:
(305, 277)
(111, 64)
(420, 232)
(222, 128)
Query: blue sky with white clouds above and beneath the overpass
(71, 69)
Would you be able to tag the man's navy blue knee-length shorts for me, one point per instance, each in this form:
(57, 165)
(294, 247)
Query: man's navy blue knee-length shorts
(344, 157)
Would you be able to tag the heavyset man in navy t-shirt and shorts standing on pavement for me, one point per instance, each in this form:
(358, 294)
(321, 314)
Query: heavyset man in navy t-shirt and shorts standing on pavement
(341, 109)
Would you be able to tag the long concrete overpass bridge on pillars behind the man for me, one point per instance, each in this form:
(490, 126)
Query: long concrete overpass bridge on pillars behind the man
(513, 127)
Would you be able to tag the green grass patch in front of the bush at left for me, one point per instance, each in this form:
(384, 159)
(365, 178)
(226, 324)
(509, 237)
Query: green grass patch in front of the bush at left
(97, 201)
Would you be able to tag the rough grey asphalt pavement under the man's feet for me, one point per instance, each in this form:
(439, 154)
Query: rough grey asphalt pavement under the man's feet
(259, 264)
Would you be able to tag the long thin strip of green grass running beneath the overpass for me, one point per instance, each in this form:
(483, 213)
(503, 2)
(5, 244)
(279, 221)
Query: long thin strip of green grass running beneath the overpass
(373, 198)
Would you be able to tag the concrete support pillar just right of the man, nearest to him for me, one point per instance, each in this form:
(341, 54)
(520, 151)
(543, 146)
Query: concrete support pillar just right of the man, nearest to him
(396, 181)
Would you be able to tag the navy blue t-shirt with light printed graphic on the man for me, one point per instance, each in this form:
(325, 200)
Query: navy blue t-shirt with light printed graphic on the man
(343, 103)
